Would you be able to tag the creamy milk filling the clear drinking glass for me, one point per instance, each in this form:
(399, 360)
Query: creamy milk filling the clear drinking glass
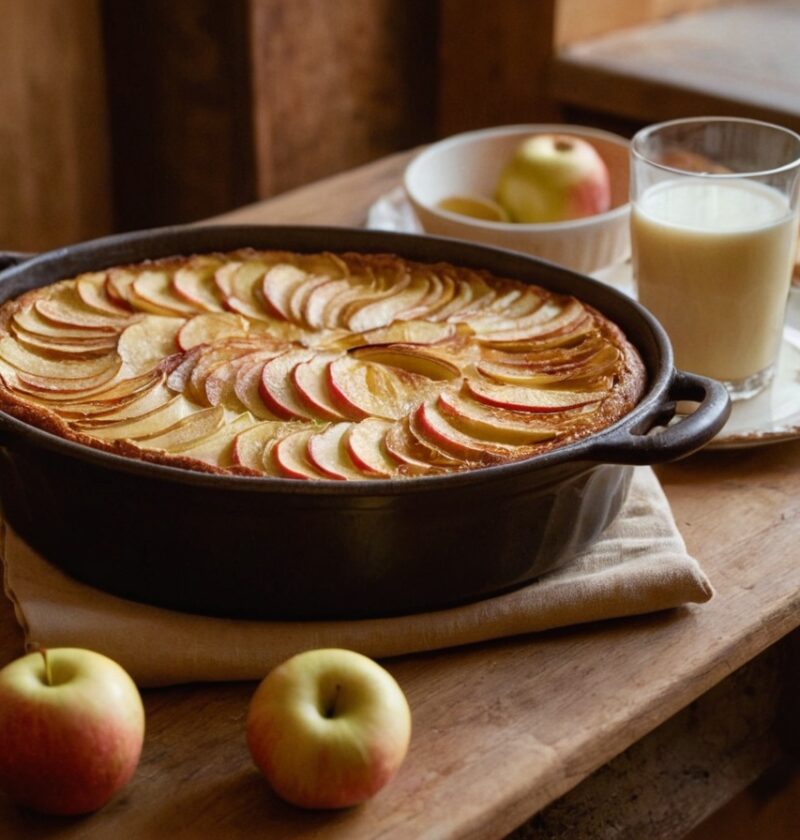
(713, 261)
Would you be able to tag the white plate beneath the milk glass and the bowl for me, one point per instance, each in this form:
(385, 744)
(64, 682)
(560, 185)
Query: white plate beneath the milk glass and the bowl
(769, 417)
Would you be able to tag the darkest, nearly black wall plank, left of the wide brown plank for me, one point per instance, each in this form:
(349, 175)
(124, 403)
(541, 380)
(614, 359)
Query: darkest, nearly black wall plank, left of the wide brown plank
(180, 109)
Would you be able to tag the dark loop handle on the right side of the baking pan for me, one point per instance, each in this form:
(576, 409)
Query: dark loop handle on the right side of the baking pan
(649, 440)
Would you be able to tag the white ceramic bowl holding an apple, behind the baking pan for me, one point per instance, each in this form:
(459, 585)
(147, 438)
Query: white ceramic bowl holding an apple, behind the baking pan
(470, 164)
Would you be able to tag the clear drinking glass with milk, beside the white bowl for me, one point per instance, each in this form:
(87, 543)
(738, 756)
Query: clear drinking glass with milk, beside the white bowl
(714, 228)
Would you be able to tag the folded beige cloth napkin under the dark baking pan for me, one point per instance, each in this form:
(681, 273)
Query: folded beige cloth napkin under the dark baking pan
(639, 565)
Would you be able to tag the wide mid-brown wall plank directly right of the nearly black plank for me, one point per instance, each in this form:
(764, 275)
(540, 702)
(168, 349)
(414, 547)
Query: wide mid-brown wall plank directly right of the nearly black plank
(338, 84)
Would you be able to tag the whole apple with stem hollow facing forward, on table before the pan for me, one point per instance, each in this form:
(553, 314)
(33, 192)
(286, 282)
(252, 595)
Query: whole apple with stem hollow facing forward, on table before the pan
(328, 728)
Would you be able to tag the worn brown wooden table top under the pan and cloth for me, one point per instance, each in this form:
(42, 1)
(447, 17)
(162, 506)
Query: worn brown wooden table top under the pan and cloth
(500, 729)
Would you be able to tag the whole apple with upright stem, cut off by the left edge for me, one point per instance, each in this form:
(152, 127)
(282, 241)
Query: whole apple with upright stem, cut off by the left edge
(71, 730)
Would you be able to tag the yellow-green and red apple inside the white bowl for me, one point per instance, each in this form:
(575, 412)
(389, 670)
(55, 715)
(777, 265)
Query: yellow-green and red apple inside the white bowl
(554, 178)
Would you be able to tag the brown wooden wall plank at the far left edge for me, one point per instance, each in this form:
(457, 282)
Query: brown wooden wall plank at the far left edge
(53, 146)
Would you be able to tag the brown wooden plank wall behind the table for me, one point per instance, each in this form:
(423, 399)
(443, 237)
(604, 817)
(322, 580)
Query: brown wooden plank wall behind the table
(125, 114)
